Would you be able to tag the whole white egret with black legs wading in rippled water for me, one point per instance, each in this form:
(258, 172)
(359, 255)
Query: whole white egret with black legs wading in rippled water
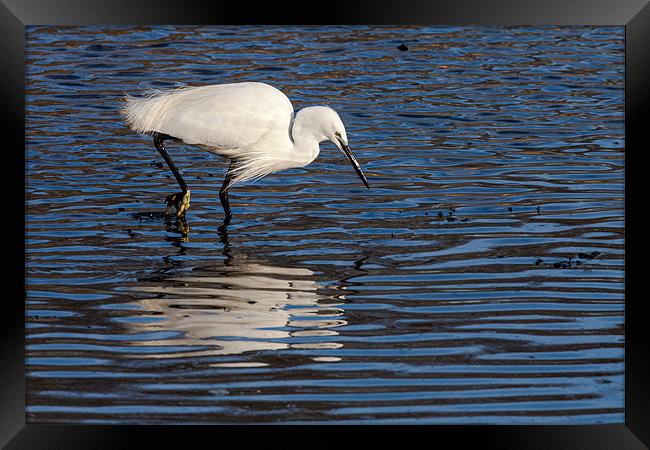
(252, 124)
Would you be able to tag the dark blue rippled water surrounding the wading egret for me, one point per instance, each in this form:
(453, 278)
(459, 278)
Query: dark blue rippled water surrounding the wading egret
(479, 281)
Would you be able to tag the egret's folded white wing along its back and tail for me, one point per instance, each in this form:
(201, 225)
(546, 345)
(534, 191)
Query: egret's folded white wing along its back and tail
(225, 116)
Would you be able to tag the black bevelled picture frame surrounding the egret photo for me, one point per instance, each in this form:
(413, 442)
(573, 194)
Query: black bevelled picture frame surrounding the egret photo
(634, 15)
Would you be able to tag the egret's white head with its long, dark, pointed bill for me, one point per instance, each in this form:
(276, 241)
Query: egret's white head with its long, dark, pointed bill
(325, 124)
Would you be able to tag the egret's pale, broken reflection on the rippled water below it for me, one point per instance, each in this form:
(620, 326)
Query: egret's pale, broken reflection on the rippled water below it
(242, 305)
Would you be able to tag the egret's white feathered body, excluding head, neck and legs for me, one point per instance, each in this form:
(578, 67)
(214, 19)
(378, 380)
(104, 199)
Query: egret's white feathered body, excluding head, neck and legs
(246, 122)
